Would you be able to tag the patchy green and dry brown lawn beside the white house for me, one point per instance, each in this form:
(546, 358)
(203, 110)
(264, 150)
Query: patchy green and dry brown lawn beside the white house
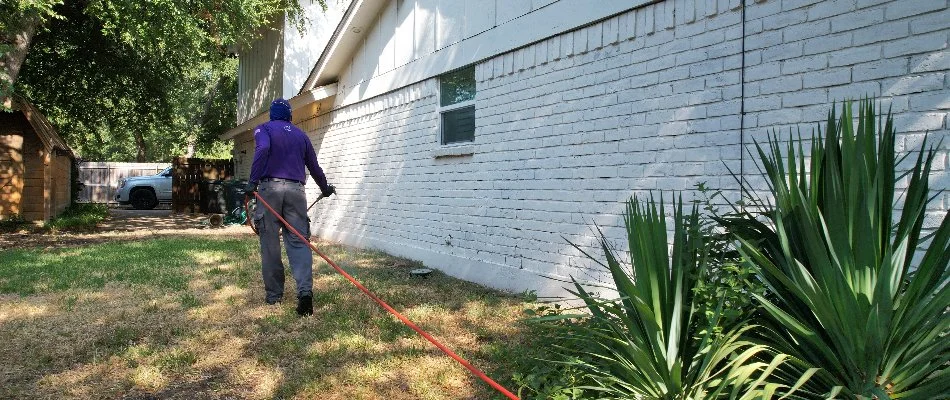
(184, 317)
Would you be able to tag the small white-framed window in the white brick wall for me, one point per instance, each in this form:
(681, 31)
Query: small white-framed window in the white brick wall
(457, 105)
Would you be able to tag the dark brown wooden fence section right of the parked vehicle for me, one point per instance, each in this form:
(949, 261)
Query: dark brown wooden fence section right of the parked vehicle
(190, 176)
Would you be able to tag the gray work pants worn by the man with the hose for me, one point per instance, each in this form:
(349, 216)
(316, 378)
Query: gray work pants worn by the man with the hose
(288, 199)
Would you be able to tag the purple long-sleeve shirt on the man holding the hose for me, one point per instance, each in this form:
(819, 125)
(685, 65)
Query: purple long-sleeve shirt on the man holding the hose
(282, 150)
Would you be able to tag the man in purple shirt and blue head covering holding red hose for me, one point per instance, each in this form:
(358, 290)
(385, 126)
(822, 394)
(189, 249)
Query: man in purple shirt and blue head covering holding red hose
(281, 152)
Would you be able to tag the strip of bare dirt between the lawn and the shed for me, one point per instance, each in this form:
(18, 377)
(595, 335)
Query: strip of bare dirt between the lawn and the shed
(124, 225)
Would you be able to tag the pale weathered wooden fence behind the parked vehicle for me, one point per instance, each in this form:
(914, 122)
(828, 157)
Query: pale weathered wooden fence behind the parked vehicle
(101, 179)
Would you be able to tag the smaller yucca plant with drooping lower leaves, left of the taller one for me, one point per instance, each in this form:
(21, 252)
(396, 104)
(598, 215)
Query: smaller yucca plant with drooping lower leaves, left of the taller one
(653, 341)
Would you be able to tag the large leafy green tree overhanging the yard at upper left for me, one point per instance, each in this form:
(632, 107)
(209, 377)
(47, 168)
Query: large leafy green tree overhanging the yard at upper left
(132, 80)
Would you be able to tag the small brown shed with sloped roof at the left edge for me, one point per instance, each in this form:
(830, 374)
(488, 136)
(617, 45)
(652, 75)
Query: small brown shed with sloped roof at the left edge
(35, 165)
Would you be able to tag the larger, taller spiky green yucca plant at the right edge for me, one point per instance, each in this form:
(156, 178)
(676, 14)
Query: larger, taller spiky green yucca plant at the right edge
(846, 292)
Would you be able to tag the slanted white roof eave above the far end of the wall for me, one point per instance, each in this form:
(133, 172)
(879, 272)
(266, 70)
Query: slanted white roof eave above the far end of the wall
(356, 23)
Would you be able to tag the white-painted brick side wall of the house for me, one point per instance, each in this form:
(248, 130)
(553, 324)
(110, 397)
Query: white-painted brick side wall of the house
(570, 127)
